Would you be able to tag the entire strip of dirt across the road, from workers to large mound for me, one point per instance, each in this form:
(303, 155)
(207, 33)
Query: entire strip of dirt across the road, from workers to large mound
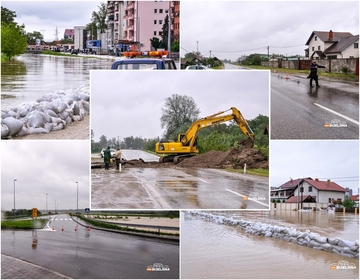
(233, 158)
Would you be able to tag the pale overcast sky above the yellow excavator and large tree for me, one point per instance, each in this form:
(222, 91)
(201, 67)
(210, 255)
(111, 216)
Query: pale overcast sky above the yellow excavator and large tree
(128, 103)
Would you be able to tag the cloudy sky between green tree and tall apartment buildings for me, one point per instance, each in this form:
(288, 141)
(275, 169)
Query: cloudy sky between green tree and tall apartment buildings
(49, 15)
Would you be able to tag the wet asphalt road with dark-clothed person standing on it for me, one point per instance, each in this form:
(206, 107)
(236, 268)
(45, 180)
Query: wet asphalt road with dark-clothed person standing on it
(301, 112)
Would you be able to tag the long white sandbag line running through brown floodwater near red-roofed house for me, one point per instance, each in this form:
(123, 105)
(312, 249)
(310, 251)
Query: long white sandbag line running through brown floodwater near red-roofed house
(307, 238)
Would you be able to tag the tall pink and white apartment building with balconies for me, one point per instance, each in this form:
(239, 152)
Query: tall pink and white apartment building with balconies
(132, 24)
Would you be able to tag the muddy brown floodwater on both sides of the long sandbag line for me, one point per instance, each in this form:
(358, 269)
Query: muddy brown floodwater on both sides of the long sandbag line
(210, 250)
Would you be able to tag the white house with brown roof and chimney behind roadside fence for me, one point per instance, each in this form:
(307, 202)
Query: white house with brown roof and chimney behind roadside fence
(332, 45)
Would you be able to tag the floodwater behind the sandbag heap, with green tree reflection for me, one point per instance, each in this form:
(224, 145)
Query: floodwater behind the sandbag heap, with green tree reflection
(31, 76)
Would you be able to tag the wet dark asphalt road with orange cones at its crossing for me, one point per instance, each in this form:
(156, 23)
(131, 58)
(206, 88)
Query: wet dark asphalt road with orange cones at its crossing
(91, 254)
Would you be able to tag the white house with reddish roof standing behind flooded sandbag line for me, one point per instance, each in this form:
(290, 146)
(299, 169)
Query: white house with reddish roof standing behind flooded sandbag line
(311, 190)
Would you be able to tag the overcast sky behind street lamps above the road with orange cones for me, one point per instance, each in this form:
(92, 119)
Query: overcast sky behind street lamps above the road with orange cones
(44, 167)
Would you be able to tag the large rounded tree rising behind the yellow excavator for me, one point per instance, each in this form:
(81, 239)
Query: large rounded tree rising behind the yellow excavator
(178, 110)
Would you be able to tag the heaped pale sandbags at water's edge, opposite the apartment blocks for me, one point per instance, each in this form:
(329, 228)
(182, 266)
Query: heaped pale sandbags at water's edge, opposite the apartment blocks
(49, 113)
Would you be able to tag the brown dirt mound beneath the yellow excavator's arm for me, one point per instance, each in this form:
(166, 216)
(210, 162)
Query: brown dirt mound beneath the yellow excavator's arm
(232, 158)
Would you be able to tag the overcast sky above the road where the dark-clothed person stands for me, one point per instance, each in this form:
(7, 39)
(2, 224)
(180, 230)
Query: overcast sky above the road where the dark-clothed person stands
(231, 29)
